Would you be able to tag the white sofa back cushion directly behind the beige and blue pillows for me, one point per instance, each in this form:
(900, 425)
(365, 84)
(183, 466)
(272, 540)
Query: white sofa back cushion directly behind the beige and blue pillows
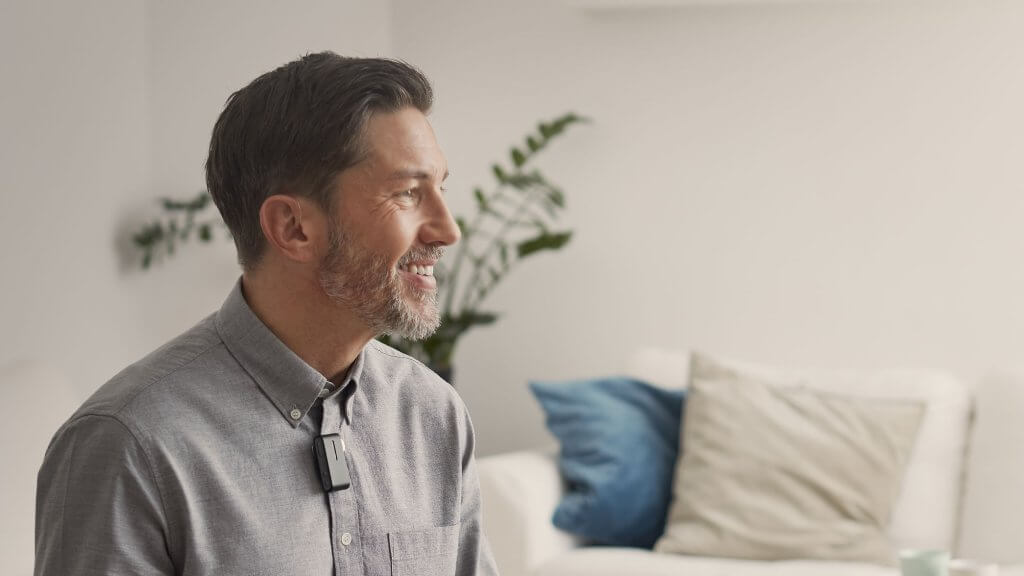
(927, 513)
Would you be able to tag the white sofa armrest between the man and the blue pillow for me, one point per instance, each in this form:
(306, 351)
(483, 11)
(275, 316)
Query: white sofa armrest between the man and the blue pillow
(521, 491)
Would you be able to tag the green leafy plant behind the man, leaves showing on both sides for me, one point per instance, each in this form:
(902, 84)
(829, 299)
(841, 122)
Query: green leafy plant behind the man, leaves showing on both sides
(513, 222)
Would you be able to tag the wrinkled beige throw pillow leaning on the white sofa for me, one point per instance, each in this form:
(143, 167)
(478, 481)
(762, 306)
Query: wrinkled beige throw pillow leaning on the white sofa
(770, 472)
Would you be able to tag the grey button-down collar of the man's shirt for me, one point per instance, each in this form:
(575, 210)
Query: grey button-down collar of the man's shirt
(291, 385)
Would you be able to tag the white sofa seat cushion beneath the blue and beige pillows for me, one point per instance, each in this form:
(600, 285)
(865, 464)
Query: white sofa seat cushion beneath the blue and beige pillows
(617, 562)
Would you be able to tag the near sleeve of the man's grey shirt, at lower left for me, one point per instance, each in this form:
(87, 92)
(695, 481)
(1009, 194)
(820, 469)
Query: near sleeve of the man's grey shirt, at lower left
(98, 508)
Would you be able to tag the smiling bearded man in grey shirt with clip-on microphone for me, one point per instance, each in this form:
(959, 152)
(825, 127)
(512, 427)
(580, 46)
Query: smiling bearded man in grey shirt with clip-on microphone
(199, 460)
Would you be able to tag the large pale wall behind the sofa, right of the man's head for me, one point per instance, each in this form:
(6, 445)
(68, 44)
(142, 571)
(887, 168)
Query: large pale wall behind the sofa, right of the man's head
(840, 186)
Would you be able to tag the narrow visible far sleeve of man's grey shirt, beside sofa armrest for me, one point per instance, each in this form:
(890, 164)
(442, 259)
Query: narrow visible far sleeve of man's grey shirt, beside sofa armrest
(475, 552)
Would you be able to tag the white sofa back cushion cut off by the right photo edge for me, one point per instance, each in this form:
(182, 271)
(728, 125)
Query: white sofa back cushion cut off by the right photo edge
(994, 501)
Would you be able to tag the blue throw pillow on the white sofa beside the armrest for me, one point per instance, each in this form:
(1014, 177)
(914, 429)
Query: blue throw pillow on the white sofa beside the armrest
(620, 439)
